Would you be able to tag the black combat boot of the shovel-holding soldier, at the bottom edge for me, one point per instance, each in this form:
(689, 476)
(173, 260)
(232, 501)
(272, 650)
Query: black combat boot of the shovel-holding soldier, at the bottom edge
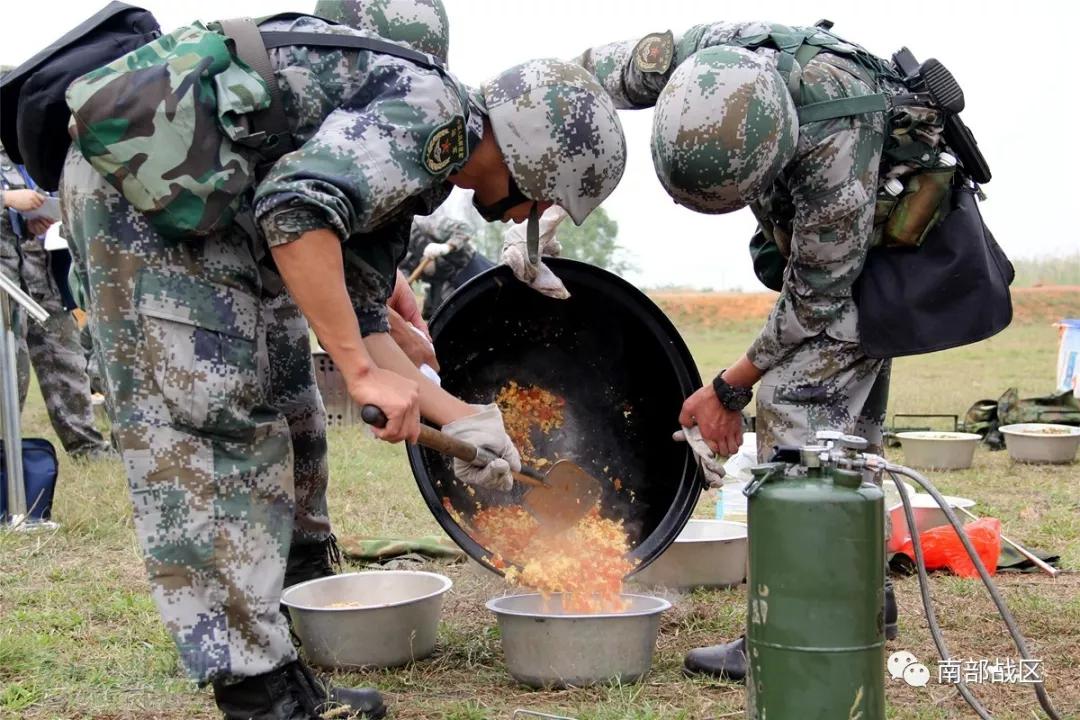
(293, 694)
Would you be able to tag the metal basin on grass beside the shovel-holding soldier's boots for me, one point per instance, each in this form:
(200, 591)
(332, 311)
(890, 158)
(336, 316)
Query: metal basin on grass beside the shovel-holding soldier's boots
(382, 618)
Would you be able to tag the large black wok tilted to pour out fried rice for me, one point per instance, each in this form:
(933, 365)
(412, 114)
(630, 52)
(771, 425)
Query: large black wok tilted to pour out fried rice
(620, 365)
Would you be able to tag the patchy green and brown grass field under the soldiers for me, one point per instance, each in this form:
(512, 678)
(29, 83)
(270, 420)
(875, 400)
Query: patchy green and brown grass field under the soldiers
(79, 637)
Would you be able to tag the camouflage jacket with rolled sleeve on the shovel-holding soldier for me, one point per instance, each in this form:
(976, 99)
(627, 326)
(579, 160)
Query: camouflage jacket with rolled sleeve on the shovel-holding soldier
(376, 138)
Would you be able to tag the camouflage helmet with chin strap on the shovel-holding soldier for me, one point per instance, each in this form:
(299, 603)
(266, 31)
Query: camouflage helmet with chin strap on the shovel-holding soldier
(559, 132)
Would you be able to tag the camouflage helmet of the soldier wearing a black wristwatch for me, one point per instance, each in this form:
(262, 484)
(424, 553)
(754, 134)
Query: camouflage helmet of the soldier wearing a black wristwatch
(724, 129)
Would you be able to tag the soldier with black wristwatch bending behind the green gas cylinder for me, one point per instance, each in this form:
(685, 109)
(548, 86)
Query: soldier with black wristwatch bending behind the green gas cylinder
(727, 134)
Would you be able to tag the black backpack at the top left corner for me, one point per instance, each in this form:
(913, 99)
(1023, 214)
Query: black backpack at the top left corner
(34, 114)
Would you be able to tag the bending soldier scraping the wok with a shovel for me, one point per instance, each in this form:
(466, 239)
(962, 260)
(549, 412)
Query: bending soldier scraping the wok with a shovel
(184, 335)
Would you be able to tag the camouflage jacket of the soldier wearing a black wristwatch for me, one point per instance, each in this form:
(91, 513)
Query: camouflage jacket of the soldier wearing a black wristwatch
(821, 209)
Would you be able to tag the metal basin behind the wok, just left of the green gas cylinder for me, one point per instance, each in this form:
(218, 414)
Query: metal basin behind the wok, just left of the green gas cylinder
(707, 554)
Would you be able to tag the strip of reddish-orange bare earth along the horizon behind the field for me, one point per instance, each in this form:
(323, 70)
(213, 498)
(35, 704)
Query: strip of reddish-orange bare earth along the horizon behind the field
(707, 310)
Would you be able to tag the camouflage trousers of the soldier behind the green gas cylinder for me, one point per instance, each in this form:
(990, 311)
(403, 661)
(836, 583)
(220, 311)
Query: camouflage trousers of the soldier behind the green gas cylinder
(823, 385)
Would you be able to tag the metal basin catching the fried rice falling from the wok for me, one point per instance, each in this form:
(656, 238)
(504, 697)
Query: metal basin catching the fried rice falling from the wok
(546, 647)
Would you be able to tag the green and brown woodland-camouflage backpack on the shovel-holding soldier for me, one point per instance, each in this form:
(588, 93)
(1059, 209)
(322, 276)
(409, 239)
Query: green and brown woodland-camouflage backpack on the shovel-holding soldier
(183, 126)
